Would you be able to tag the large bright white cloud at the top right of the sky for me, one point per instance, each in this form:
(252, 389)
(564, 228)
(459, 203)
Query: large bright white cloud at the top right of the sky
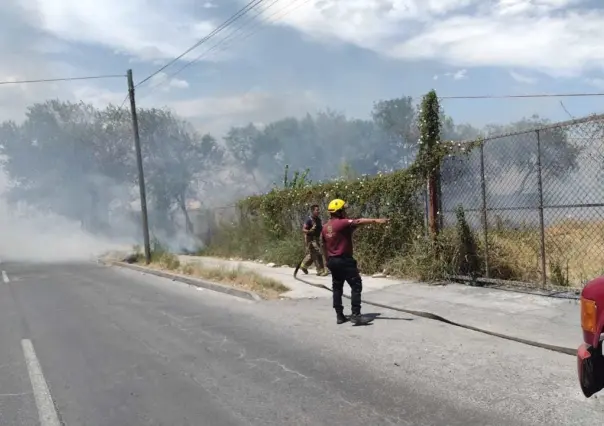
(556, 37)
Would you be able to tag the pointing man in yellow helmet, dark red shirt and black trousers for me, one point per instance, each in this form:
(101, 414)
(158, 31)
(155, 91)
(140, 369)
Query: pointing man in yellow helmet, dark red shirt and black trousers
(336, 236)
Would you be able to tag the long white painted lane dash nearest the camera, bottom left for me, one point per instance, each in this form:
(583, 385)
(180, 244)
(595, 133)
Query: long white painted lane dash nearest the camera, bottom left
(46, 409)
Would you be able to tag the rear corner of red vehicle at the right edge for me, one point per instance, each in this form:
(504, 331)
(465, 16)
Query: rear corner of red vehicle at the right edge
(590, 361)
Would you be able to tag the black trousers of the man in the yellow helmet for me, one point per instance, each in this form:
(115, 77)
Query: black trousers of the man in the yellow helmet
(345, 269)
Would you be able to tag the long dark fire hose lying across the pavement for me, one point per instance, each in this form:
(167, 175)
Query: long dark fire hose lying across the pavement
(431, 316)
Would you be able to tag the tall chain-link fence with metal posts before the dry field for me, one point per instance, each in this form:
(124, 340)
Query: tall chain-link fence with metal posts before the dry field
(535, 200)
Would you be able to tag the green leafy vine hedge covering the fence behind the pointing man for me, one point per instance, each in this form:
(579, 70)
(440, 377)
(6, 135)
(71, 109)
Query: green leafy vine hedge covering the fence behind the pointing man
(268, 220)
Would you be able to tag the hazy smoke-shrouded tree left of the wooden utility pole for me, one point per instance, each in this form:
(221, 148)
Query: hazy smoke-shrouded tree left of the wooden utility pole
(61, 158)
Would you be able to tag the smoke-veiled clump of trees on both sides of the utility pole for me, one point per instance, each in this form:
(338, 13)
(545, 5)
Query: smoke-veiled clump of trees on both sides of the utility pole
(75, 160)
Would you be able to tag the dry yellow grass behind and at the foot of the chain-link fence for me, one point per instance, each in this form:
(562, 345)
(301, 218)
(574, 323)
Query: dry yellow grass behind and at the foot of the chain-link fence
(574, 253)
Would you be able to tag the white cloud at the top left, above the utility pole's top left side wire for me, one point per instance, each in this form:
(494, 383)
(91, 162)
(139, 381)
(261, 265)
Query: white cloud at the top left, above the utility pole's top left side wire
(147, 30)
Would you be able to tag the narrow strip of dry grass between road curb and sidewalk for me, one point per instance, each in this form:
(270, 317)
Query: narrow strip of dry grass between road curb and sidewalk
(240, 277)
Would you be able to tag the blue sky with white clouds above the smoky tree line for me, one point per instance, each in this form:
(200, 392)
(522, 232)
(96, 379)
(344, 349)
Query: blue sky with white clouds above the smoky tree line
(290, 57)
